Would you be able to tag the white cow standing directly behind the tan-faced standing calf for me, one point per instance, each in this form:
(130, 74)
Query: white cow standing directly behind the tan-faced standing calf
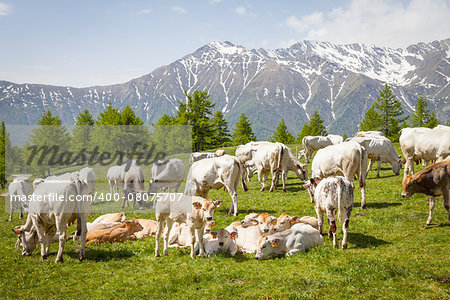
(214, 173)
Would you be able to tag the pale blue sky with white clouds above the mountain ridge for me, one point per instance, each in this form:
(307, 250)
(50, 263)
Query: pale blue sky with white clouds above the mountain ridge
(100, 42)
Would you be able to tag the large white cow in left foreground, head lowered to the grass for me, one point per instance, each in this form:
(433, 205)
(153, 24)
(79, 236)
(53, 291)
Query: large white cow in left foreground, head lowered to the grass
(47, 217)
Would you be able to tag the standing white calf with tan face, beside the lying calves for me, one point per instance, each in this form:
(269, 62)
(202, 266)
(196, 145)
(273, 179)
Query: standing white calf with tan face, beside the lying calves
(202, 211)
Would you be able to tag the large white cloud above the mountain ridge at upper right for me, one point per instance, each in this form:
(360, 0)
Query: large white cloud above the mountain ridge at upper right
(379, 22)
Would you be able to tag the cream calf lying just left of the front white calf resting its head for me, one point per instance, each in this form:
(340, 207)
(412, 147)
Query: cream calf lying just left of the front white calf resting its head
(251, 229)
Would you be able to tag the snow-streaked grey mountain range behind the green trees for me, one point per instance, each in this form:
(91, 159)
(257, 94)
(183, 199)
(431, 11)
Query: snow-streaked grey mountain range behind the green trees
(340, 81)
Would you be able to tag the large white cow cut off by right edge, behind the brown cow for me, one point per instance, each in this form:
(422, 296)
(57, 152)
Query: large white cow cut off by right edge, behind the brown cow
(424, 143)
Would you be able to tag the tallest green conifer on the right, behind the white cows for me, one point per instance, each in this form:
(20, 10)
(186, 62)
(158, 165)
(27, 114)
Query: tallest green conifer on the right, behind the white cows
(390, 111)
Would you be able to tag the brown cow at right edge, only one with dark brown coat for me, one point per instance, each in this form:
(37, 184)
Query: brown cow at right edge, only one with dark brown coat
(432, 181)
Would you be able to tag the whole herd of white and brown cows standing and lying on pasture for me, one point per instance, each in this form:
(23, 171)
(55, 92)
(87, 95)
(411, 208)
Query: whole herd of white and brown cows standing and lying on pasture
(330, 187)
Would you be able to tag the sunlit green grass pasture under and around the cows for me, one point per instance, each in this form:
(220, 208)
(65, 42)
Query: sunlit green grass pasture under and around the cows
(391, 254)
